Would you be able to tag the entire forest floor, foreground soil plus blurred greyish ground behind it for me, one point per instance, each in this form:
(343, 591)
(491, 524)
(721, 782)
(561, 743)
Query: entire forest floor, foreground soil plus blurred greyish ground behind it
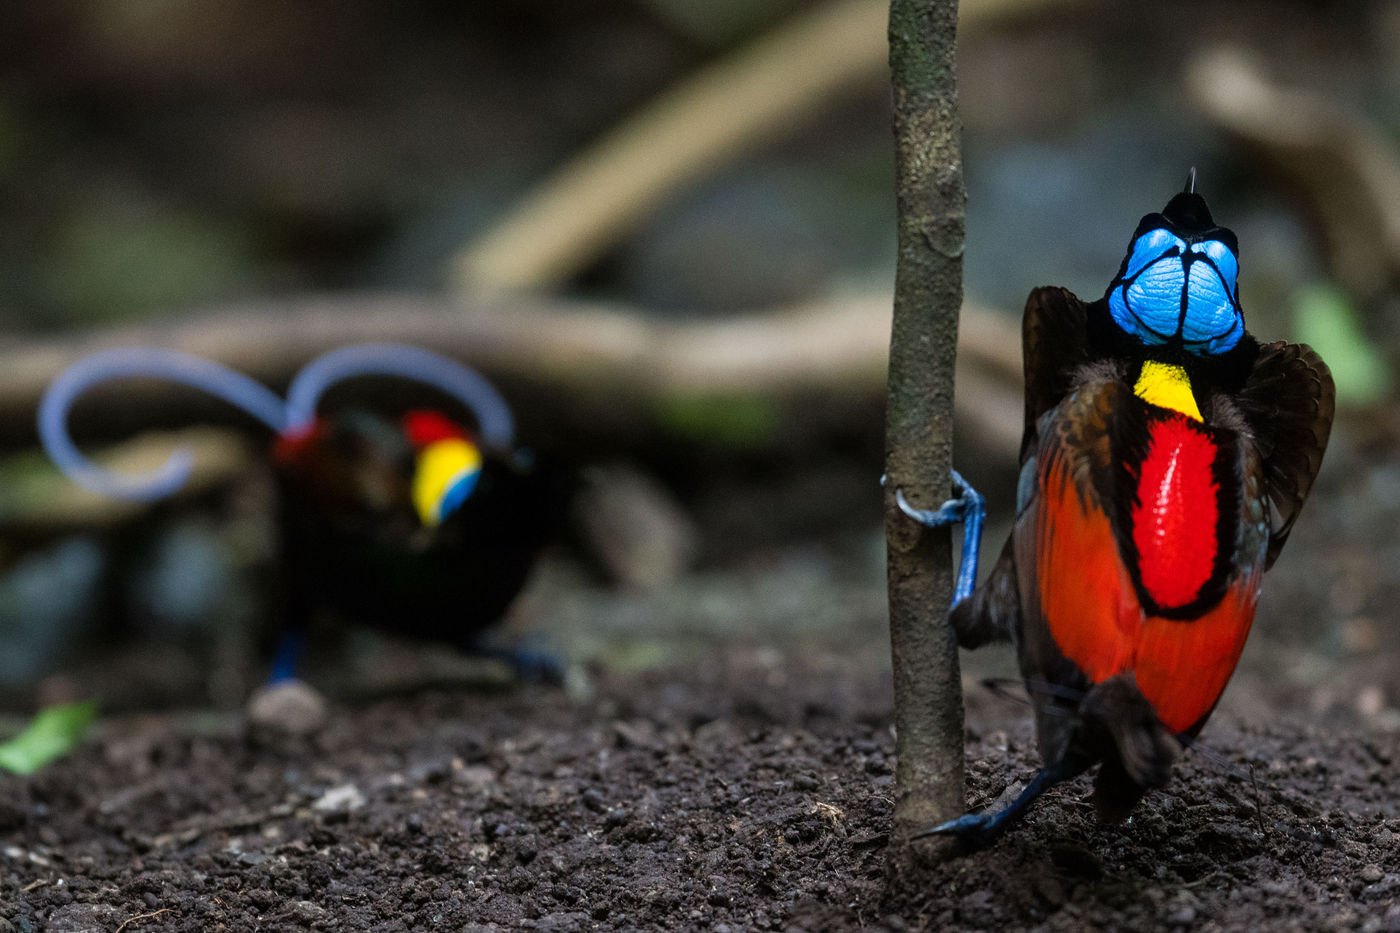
(729, 767)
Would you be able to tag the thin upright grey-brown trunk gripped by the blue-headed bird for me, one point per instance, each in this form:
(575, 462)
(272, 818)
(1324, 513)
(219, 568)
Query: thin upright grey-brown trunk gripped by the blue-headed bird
(929, 707)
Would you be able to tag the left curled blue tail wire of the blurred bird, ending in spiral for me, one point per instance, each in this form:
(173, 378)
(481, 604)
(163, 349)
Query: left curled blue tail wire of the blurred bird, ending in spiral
(145, 364)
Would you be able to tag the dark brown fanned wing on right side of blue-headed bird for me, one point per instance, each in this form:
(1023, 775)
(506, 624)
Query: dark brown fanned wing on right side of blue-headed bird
(1289, 401)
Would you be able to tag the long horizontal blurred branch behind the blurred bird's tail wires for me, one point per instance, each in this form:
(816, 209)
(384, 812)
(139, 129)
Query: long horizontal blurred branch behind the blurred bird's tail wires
(597, 365)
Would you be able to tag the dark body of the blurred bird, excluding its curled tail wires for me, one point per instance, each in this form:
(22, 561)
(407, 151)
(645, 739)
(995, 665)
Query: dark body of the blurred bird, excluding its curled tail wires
(412, 527)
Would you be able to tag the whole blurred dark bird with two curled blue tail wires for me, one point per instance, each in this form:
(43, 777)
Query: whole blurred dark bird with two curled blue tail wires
(418, 526)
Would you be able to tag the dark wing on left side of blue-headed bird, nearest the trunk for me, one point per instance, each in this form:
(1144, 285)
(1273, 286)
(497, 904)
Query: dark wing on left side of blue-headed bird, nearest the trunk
(1055, 343)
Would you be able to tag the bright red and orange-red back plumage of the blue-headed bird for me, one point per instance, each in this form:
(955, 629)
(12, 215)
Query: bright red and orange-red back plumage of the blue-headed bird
(1087, 595)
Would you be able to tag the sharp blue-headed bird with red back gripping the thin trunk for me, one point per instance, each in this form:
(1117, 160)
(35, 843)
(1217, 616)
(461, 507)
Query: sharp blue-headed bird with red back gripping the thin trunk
(1165, 457)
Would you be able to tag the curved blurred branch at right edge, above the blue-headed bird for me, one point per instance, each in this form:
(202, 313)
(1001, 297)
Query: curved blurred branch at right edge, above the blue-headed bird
(1342, 165)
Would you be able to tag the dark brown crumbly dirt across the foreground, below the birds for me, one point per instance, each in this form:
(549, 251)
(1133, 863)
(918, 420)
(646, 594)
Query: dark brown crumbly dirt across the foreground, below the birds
(745, 795)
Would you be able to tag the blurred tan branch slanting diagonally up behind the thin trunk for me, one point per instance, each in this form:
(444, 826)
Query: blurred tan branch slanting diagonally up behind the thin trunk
(758, 95)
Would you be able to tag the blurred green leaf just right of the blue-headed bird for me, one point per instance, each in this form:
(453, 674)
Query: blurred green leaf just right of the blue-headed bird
(1331, 326)
